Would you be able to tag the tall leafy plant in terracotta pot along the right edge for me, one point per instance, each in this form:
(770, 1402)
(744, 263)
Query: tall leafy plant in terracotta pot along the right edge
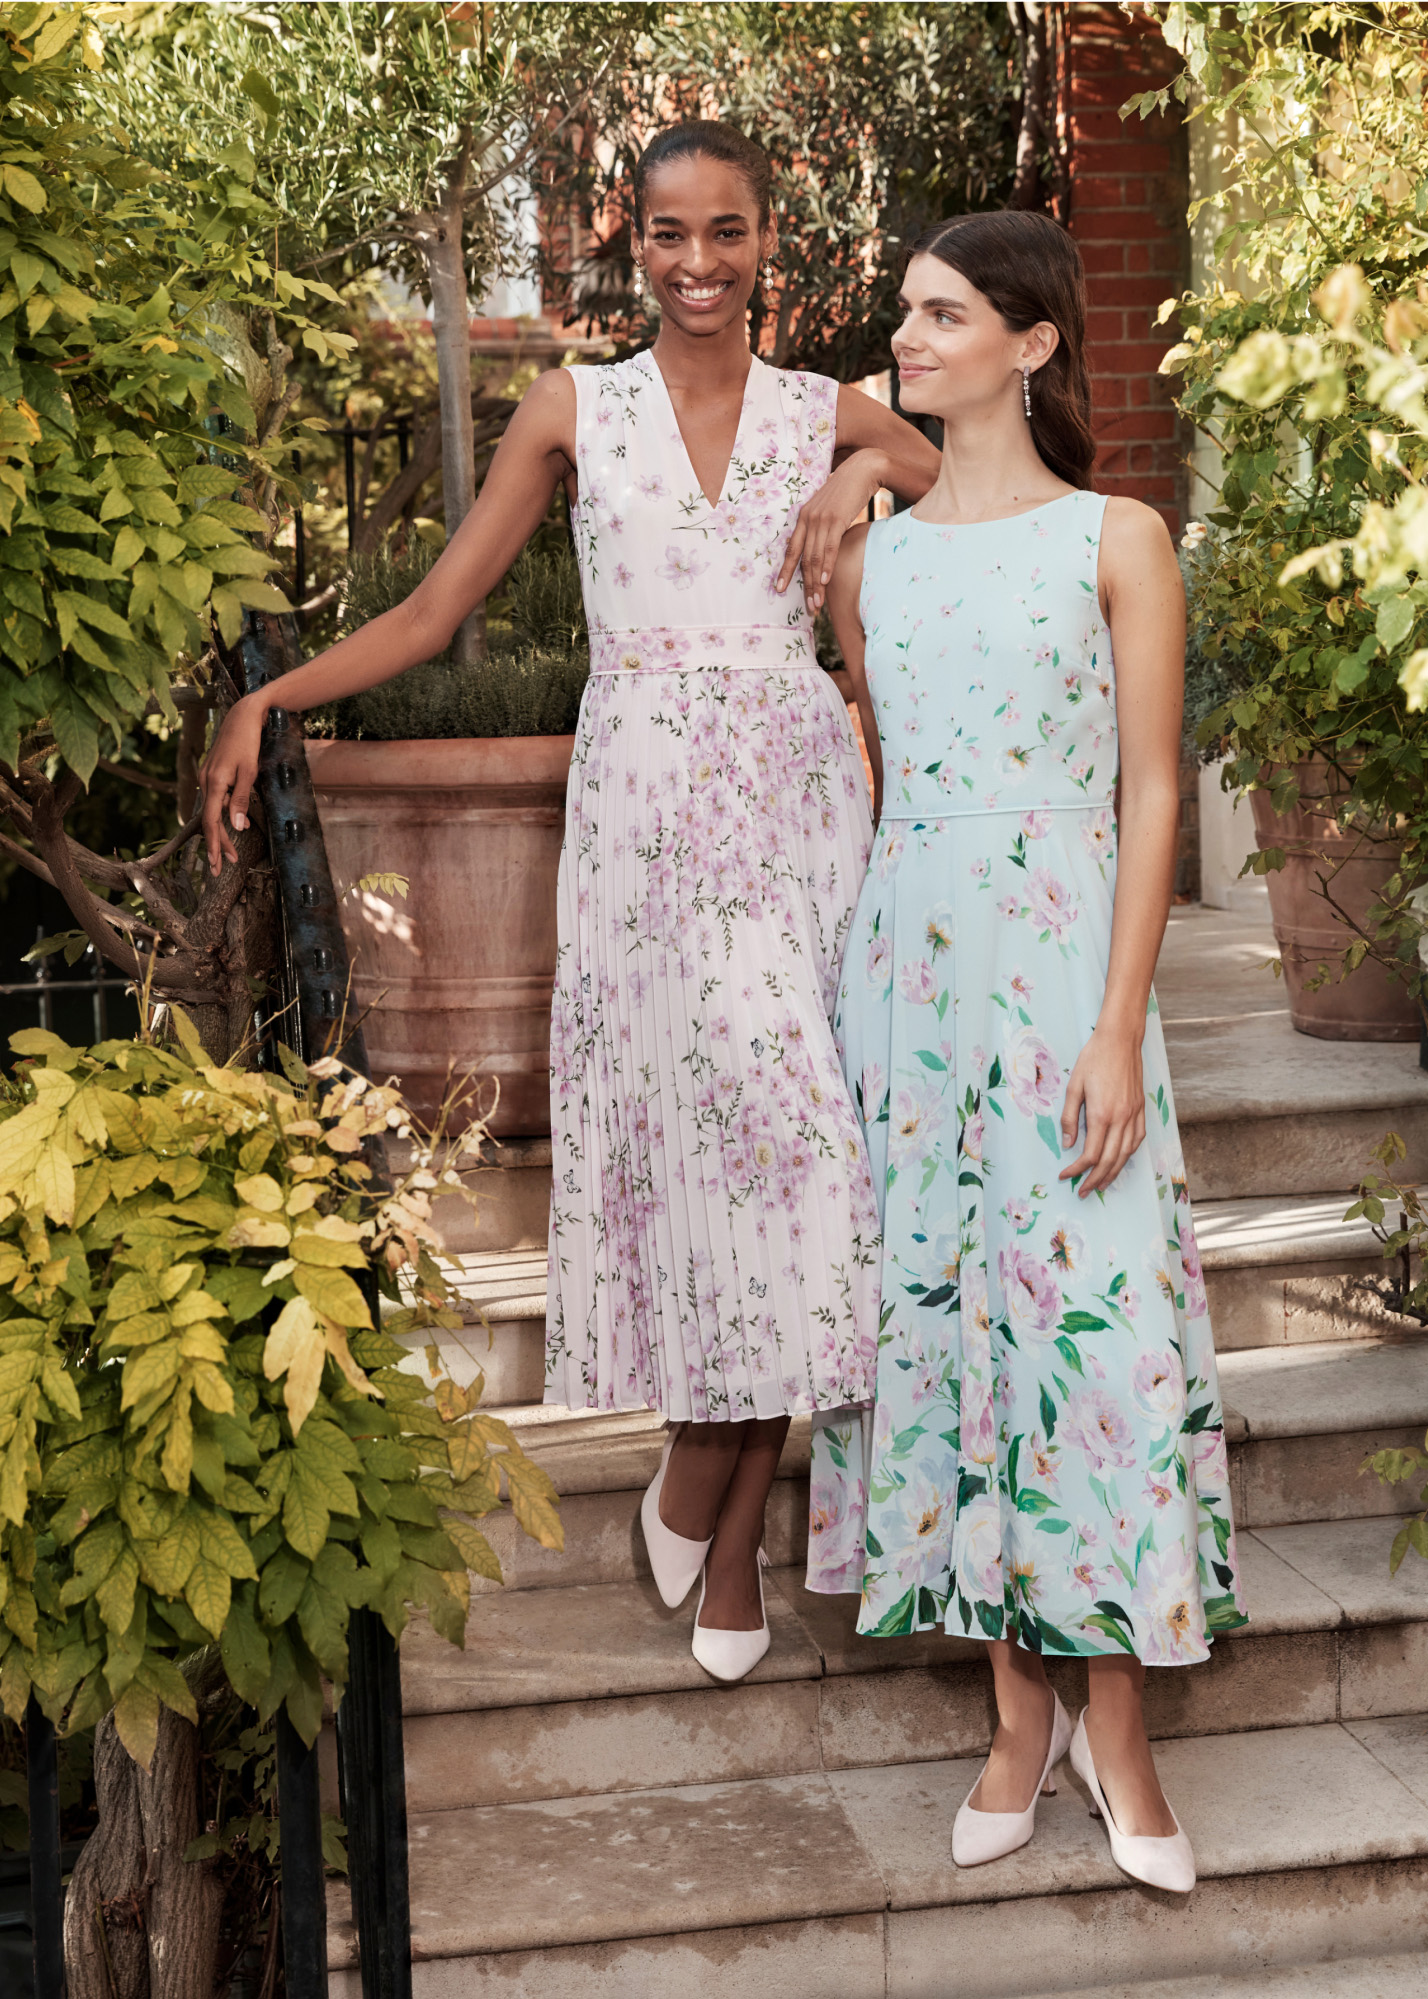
(1303, 365)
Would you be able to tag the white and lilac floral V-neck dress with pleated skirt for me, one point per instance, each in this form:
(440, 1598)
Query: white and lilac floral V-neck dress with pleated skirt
(713, 1226)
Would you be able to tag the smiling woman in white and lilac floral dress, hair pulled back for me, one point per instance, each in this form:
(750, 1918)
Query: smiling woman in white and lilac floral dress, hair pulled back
(713, 1236)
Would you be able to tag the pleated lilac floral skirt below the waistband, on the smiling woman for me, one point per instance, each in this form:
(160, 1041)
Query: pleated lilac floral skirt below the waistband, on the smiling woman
(713, 1230)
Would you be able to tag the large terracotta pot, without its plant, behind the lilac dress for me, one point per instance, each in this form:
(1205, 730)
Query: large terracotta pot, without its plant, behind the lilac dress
(459, 975)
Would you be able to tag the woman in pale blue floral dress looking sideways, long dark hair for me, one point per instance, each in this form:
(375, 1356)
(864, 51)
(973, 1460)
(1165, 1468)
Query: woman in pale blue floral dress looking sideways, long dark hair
(1045, 1464)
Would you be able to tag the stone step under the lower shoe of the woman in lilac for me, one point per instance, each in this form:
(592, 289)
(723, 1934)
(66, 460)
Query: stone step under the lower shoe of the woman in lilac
(593, 1690)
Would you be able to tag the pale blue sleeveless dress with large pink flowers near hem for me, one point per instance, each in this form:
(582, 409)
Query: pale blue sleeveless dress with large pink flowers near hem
(1047, 1454)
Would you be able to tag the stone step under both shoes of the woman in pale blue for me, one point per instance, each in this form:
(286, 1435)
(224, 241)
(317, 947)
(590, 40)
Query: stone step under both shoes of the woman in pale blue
(1311, 1842)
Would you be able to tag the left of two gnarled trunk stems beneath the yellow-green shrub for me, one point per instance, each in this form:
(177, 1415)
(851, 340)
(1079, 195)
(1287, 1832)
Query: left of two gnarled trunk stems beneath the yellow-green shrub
(107, 1906)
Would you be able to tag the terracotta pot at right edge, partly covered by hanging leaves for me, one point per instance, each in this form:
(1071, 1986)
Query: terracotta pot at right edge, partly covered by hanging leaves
(1371, 1004)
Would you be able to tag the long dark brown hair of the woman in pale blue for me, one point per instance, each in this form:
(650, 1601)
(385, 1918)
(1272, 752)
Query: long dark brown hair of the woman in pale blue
(1029, 269)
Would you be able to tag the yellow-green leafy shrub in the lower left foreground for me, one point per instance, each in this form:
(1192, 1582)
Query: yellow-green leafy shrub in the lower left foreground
(203, 1432)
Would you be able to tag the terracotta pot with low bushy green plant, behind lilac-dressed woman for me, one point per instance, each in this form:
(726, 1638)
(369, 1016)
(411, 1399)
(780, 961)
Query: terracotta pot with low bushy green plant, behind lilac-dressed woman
(455, 781)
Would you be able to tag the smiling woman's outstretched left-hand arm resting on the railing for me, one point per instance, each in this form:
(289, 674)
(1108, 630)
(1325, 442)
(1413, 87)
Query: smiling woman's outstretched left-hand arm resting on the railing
(531, 461)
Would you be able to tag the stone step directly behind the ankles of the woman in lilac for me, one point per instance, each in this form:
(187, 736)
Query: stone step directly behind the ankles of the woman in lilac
(1299, 1422)
